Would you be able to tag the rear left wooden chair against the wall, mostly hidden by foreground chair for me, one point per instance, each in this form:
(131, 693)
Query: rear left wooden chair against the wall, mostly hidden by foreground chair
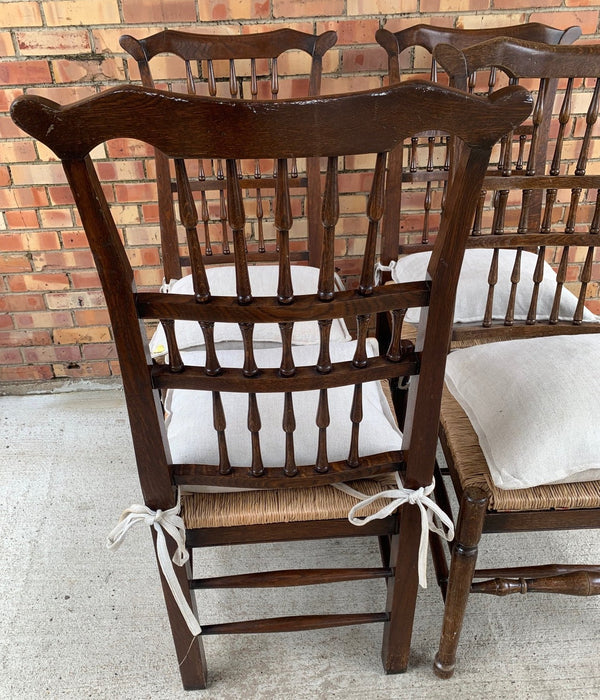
(243, 66)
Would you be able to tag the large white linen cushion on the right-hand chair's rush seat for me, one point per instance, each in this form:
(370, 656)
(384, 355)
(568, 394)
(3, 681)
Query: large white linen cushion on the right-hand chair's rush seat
(534, 405)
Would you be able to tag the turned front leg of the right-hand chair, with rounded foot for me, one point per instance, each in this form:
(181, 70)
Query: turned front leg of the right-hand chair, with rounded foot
(464, 557)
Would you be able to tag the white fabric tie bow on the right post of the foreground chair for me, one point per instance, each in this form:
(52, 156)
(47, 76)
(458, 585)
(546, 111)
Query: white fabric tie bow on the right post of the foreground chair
(399, 497)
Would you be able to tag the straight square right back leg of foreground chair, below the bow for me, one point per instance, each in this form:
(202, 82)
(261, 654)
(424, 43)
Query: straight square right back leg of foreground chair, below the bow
(402, 592)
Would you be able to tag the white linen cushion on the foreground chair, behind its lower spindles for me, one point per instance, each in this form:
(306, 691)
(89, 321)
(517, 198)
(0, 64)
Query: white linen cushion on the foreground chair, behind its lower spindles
(193, 439)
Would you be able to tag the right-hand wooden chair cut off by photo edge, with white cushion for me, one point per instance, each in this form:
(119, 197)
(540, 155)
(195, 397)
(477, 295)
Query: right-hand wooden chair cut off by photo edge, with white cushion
(547, 371)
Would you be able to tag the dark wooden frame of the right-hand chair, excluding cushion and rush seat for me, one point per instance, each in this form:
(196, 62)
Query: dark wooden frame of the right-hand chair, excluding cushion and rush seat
(566, 230)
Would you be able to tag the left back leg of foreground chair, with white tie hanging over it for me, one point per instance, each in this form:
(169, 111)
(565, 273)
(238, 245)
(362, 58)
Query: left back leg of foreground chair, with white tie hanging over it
(190, 651)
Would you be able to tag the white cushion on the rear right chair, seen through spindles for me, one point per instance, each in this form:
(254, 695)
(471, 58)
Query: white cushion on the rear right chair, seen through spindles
(472, 291)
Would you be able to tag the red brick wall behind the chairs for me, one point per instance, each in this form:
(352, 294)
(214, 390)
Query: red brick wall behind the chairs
(53, 323)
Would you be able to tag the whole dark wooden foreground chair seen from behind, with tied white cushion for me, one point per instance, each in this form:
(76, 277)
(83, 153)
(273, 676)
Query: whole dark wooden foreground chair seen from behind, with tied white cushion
(296, 427)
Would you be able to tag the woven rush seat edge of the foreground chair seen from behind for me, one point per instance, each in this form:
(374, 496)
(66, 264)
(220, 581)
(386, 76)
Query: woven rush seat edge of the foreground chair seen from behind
(204, 510)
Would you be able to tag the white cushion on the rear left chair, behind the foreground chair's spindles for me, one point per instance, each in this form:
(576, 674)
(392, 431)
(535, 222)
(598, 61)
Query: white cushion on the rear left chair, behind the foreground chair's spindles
(263, 282)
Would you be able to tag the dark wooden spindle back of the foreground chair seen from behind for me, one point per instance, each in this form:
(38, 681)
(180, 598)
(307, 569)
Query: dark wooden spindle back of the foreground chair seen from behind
(187, 128)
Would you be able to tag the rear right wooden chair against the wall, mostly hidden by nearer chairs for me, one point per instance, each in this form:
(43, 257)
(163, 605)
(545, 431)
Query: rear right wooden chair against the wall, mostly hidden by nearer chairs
(422, 181)
